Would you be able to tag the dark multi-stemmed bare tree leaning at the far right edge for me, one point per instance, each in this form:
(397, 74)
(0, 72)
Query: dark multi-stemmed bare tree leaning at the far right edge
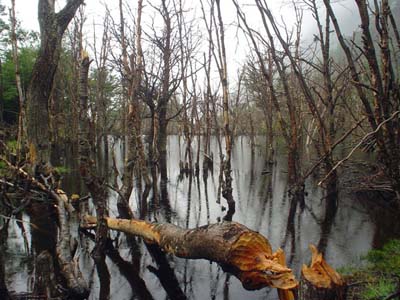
(383, 86)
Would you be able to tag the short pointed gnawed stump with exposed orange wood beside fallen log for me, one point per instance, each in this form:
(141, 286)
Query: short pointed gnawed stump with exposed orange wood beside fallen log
(320, 281)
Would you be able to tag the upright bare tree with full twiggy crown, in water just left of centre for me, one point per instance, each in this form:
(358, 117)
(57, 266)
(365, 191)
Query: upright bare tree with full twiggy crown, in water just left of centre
(162, 78)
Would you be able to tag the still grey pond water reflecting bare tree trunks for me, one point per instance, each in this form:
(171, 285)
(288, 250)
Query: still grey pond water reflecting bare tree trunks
(262, 204)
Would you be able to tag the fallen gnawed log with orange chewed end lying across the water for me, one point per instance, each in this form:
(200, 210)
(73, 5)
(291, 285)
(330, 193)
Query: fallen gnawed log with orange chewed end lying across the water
(239, 250)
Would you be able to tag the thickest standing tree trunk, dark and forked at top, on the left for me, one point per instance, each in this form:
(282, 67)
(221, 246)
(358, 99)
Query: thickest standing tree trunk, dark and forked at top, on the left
(52, 28)
